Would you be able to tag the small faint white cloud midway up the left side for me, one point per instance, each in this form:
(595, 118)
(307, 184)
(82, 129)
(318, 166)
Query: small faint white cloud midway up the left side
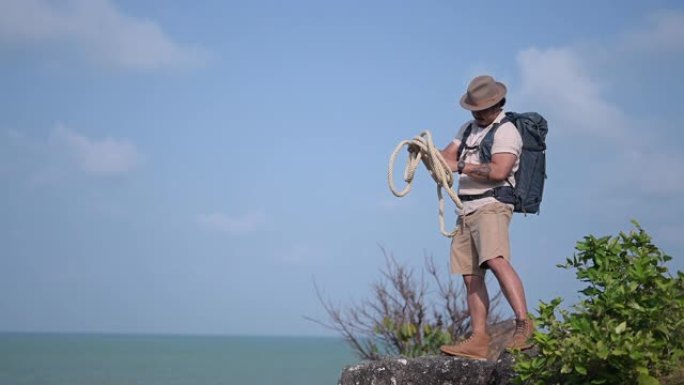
(99, 157)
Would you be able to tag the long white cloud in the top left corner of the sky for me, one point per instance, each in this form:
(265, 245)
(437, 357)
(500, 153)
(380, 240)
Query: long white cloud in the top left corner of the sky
(96, 27)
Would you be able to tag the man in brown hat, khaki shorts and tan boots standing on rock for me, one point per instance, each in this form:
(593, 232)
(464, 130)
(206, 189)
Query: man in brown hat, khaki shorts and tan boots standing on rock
(481, 242)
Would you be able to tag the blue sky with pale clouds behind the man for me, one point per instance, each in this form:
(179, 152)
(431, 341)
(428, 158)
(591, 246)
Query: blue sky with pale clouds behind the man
(177, 168)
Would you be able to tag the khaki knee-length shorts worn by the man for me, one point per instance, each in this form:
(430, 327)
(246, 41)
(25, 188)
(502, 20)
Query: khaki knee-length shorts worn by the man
(481, 236)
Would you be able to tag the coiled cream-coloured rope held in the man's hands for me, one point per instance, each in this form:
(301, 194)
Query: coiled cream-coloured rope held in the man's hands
(437, 167)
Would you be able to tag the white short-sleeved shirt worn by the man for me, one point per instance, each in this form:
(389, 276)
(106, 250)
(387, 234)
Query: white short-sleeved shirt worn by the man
(506, 139)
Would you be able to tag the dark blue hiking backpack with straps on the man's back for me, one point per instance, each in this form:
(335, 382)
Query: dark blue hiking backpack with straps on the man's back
(529, 179)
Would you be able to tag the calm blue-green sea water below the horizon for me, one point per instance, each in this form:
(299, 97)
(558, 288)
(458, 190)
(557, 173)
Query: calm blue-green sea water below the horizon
(69, 359)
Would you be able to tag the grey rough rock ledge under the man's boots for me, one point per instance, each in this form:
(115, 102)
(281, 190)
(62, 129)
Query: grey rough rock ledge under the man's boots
(430, 370)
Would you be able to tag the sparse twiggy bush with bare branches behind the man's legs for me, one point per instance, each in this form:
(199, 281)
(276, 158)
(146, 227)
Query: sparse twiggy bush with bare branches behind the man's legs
(406, 315)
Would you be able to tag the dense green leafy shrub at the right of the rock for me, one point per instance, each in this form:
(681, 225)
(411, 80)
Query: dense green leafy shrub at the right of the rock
(628, 327)
